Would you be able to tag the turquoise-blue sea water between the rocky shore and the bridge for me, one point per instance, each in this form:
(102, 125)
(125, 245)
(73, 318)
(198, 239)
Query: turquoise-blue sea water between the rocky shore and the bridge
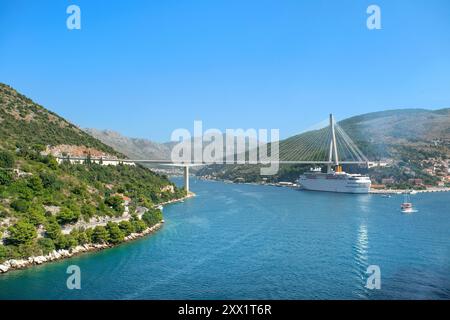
(260, 242)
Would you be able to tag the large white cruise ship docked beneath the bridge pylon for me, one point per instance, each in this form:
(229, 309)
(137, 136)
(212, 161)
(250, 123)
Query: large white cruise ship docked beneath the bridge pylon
(335, 181)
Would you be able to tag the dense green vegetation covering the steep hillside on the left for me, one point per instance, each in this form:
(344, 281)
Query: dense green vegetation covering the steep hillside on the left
(39, 197)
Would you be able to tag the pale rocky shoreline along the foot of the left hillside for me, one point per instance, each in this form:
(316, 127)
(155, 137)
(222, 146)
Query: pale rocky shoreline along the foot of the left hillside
(56, 255)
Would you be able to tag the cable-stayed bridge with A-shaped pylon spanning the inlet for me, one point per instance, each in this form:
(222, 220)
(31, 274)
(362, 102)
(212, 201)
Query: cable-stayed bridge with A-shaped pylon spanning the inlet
(329, 145)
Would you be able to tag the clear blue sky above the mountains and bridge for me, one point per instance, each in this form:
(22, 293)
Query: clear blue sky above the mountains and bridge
(145, 68)
